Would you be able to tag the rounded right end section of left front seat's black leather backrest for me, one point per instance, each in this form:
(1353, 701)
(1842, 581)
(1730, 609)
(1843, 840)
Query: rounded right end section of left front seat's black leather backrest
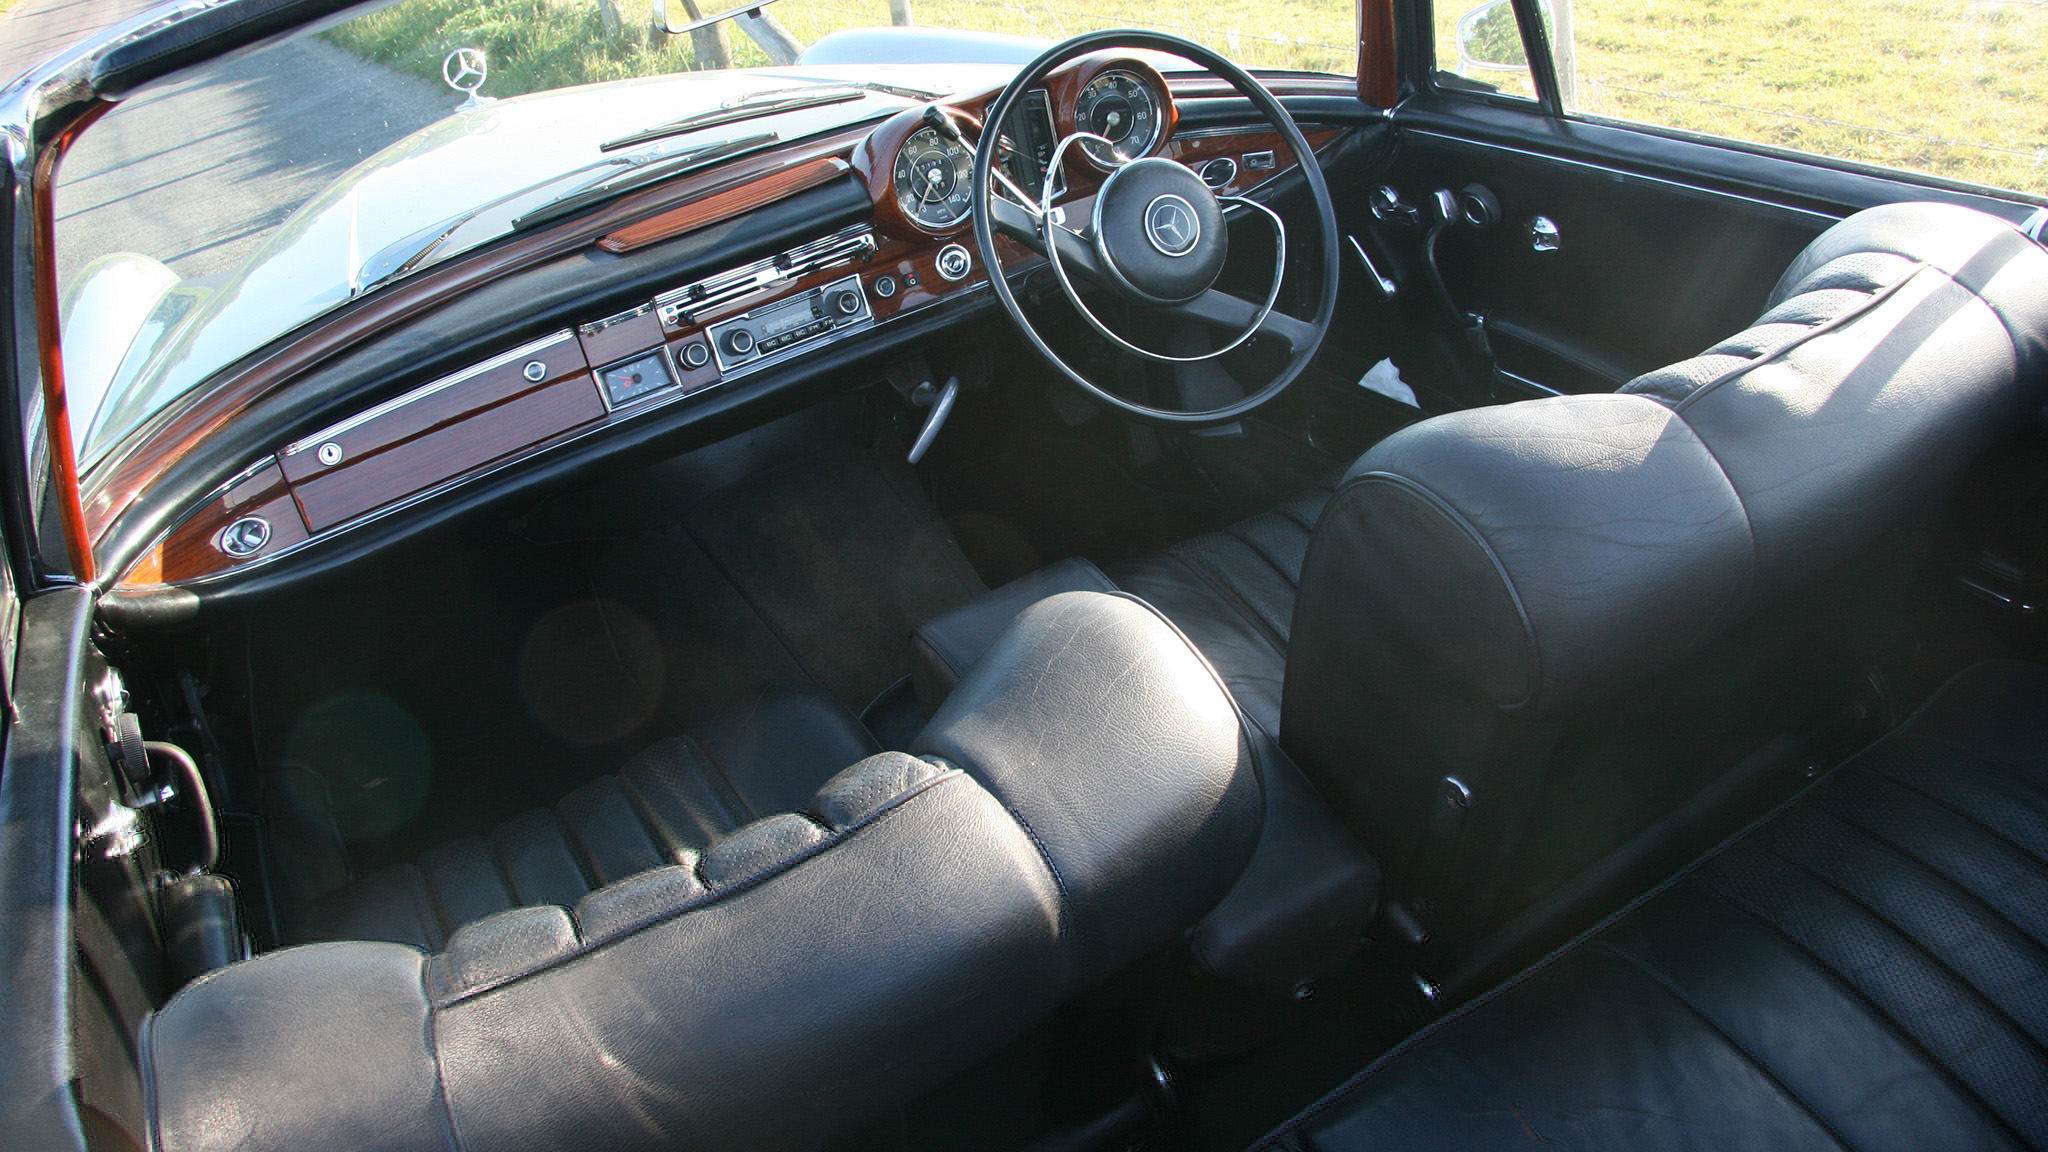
(1117, 747)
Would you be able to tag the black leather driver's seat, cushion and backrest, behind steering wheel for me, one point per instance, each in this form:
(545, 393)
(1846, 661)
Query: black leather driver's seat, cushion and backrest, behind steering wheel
(1488, 643)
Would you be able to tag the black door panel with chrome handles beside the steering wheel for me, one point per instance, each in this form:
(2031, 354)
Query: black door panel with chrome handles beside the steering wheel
(1666, 245)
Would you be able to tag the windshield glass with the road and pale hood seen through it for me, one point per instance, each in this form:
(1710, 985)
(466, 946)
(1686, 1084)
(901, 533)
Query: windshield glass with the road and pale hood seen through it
(218, 212)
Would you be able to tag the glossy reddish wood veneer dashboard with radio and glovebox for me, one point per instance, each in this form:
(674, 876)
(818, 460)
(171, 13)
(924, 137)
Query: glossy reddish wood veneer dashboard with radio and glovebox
(677, 345)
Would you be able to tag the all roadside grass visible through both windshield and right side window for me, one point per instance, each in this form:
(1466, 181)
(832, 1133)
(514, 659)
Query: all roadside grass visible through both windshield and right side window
(1949, 87)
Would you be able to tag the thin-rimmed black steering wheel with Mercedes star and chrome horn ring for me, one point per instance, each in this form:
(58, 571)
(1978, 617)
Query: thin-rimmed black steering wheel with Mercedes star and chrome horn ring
(1156, 237)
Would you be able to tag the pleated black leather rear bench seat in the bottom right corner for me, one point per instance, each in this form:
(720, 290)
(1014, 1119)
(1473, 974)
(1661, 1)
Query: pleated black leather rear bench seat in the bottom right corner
(1867, 971)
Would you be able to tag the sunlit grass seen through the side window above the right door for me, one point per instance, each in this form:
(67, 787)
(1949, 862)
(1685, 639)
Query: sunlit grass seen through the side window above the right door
(1947, 87)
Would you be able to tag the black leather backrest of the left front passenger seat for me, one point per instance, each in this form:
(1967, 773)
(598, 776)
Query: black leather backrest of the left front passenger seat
(1084, 796)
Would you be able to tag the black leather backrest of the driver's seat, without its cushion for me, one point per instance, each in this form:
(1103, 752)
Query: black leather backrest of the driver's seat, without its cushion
(1484, 577)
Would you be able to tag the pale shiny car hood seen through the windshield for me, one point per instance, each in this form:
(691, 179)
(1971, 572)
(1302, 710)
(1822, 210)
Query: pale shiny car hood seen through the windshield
(472, 159)
